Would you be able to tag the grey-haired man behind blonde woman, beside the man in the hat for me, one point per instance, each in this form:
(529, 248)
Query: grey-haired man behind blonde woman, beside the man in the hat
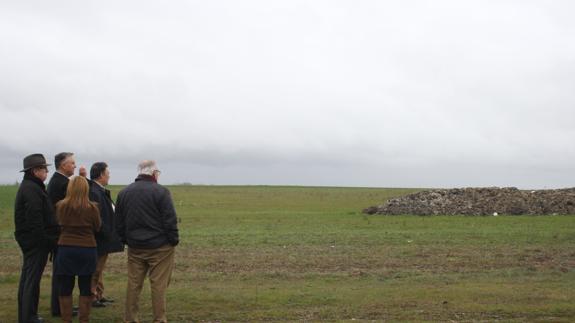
(65, 164)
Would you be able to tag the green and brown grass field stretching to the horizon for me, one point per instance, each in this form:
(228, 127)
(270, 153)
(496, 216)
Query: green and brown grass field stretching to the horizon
(262, 253)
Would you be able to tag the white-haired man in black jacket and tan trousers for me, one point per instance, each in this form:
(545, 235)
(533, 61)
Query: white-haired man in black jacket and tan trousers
(147, 223)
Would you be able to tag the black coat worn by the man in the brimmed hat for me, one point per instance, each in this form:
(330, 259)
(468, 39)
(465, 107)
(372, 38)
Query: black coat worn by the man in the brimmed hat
(34, 219)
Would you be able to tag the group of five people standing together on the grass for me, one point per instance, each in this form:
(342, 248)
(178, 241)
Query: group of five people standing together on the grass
(75, 222)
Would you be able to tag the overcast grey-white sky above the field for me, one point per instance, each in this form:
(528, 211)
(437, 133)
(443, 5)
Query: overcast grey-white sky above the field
(347, 93)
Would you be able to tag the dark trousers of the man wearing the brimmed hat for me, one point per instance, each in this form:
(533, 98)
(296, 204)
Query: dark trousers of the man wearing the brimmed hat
(33, 265)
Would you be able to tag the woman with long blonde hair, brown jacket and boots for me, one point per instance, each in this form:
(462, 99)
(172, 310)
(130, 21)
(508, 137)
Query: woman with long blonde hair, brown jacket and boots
(79, 219)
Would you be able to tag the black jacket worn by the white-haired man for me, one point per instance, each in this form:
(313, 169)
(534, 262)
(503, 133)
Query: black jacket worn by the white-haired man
(146, 215)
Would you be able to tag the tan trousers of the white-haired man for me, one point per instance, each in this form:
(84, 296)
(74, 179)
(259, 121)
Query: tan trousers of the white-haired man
(158, 264)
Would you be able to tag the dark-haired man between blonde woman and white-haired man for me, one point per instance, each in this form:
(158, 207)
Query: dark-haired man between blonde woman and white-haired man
(107, 239)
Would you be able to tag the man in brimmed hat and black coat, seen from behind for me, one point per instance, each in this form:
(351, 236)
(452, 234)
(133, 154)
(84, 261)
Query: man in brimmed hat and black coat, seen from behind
(36, 232)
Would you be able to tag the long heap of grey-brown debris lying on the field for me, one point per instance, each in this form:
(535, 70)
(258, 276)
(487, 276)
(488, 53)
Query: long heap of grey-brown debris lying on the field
(480, 201)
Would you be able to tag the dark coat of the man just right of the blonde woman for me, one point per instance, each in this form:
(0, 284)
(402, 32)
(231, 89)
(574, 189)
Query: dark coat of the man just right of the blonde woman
(107, 239)
